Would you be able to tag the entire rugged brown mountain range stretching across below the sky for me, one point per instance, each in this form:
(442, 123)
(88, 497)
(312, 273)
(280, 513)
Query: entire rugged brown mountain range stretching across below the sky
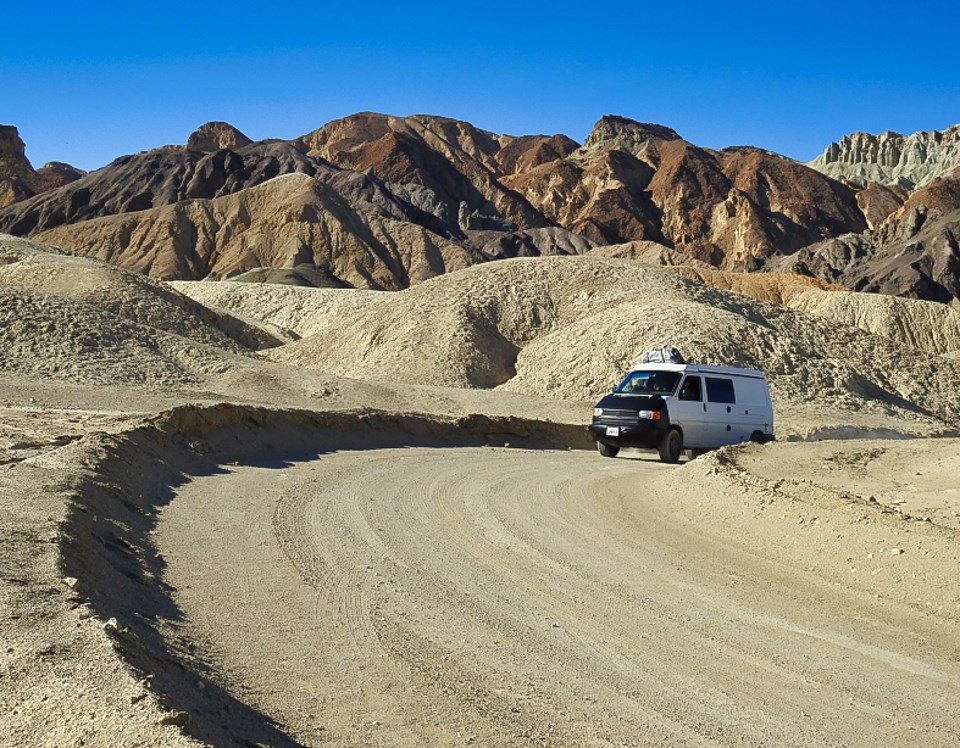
(393, 200)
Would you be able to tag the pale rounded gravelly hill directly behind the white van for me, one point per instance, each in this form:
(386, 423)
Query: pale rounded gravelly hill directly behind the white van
(569, 327)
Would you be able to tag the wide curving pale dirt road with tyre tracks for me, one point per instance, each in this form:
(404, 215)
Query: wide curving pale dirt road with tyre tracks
(410, 597)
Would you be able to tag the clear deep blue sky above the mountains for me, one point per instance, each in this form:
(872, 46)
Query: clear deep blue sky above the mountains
(88, 82)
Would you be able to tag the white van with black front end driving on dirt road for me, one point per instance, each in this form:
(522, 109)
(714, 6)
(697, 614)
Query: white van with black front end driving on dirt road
(671, 407)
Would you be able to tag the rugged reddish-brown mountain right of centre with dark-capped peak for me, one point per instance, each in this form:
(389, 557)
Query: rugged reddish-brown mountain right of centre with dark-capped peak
(632, 181)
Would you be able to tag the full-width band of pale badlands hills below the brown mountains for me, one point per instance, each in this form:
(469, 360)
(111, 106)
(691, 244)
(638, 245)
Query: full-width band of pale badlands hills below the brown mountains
(557, 328)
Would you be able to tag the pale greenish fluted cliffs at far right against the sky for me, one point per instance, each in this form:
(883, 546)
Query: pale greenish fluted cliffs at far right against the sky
(891, 159)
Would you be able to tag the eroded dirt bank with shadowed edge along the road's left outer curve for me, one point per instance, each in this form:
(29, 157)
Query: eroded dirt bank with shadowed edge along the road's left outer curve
(83, 591)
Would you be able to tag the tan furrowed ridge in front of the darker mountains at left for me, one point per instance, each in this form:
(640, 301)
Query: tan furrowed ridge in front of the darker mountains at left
(343, 224)
